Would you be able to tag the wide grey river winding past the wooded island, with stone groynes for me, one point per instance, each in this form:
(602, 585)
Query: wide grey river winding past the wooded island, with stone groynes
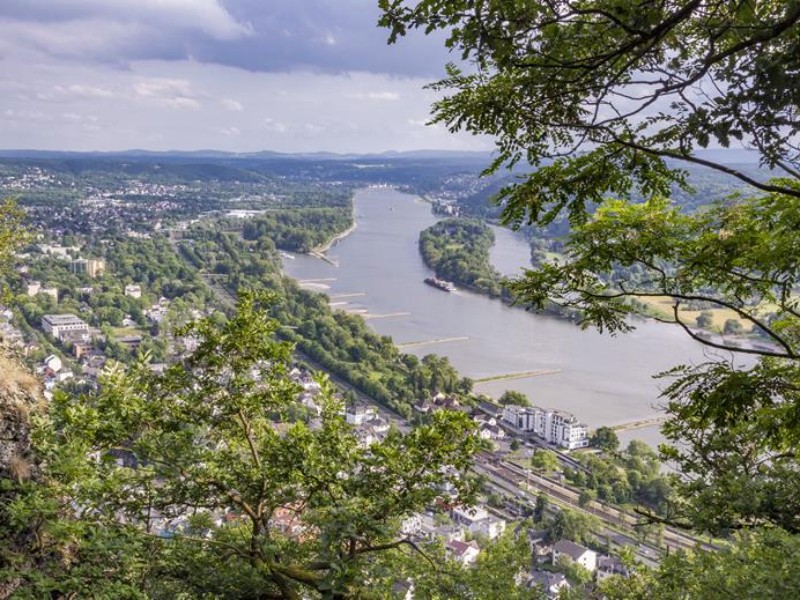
(604, 380)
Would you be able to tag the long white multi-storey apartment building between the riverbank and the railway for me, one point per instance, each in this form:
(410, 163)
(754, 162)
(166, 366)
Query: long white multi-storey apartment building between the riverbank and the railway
(553, 426)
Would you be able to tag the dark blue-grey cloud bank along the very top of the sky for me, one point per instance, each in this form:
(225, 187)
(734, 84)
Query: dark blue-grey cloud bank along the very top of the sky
(319, 35)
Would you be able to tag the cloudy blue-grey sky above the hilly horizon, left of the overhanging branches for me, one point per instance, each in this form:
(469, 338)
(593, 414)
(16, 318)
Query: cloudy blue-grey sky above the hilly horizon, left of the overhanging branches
(238, 75)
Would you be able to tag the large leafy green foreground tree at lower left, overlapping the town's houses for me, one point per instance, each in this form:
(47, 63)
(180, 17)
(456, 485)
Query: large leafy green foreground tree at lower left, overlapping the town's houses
(211, 447)
